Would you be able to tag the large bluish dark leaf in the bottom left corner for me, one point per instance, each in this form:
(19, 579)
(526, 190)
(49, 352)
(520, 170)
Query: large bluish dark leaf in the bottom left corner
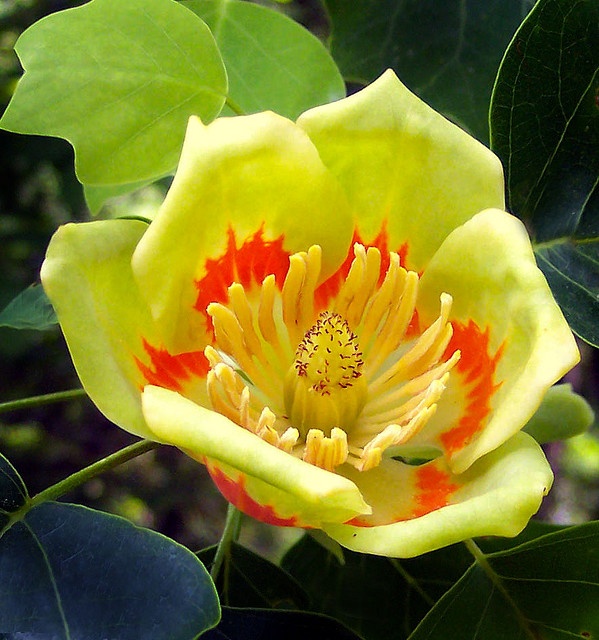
(70, 572)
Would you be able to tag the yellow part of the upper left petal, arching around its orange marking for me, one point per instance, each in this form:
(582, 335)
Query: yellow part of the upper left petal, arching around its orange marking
(250, 173)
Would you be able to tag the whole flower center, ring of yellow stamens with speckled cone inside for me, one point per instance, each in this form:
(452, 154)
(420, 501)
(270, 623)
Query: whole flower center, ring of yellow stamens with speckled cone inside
(342, 386)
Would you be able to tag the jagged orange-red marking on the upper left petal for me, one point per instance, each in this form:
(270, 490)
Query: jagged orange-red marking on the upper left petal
(247, 264)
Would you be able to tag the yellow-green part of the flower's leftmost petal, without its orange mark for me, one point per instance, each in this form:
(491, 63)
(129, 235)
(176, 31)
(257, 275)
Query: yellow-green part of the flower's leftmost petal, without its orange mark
(87, 276)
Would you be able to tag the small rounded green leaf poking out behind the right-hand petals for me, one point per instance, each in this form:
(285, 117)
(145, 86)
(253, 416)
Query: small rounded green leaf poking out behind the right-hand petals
(562, 414)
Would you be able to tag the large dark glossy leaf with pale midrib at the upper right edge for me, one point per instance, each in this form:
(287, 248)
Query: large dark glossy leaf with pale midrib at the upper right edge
(545, 128)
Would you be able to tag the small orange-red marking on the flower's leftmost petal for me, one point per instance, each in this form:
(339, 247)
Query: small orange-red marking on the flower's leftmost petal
(170, 371)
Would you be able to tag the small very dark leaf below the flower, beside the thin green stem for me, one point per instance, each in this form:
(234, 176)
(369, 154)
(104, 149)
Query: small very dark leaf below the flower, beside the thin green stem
(253, 581)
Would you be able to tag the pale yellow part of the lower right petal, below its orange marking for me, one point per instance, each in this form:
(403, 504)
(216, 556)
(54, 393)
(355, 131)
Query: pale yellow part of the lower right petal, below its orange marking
(497, 497)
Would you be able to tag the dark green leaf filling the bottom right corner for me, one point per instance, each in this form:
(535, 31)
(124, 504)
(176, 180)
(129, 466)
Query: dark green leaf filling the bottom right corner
(546, 589)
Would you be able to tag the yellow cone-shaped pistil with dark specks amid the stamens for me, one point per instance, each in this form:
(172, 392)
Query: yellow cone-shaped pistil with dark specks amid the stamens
(324, 388)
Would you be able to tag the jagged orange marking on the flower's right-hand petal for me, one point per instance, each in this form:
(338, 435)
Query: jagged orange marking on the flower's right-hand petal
(477, 367)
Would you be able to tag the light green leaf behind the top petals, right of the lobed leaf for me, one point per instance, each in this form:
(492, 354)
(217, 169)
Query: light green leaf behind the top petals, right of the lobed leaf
(272, 62)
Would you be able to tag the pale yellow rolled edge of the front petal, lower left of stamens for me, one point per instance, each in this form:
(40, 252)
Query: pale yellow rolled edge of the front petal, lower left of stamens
(315, 495)
